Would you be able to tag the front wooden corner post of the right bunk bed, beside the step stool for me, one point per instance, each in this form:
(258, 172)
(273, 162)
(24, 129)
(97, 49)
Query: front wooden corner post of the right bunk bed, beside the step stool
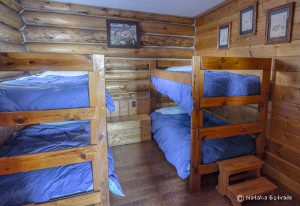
(196, 124)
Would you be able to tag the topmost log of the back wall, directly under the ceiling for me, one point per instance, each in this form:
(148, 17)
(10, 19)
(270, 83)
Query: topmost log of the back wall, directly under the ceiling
(98, 11)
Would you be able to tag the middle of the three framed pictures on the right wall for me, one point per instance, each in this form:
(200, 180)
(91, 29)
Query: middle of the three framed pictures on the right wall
(247, 20)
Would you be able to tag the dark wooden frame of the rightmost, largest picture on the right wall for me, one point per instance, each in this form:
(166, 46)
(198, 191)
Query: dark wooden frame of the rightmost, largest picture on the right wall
(289, 8)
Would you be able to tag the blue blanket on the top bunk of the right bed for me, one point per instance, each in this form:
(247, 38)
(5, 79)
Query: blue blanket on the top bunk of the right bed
(215, 84)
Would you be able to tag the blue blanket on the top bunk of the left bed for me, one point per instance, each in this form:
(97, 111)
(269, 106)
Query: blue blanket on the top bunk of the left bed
(47, 92)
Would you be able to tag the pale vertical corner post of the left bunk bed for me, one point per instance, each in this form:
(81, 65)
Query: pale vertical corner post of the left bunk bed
(98, 128)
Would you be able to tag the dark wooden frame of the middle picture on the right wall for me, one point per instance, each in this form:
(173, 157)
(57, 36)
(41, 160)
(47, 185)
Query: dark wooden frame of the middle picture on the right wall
(249, 32)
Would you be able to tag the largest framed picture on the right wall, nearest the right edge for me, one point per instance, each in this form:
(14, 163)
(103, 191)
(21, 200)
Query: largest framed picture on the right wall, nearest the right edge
(279, 24)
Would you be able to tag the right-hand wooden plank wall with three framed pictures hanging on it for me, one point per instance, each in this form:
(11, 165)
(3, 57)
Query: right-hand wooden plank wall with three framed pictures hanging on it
(283, 148)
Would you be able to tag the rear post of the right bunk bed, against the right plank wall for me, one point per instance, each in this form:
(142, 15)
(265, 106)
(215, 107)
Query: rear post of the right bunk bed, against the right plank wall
(263, 109)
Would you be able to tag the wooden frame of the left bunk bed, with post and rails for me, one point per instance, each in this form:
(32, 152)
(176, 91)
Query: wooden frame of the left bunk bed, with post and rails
(96, 152)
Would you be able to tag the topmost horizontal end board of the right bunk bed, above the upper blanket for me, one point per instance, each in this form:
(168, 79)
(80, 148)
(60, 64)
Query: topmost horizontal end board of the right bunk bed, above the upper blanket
(235, 63)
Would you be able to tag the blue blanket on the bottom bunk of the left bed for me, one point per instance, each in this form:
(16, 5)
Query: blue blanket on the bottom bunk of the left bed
(43, 185)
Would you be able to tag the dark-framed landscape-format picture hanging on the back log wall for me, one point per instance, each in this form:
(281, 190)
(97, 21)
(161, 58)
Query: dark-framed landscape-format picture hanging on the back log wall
(122, 34)
